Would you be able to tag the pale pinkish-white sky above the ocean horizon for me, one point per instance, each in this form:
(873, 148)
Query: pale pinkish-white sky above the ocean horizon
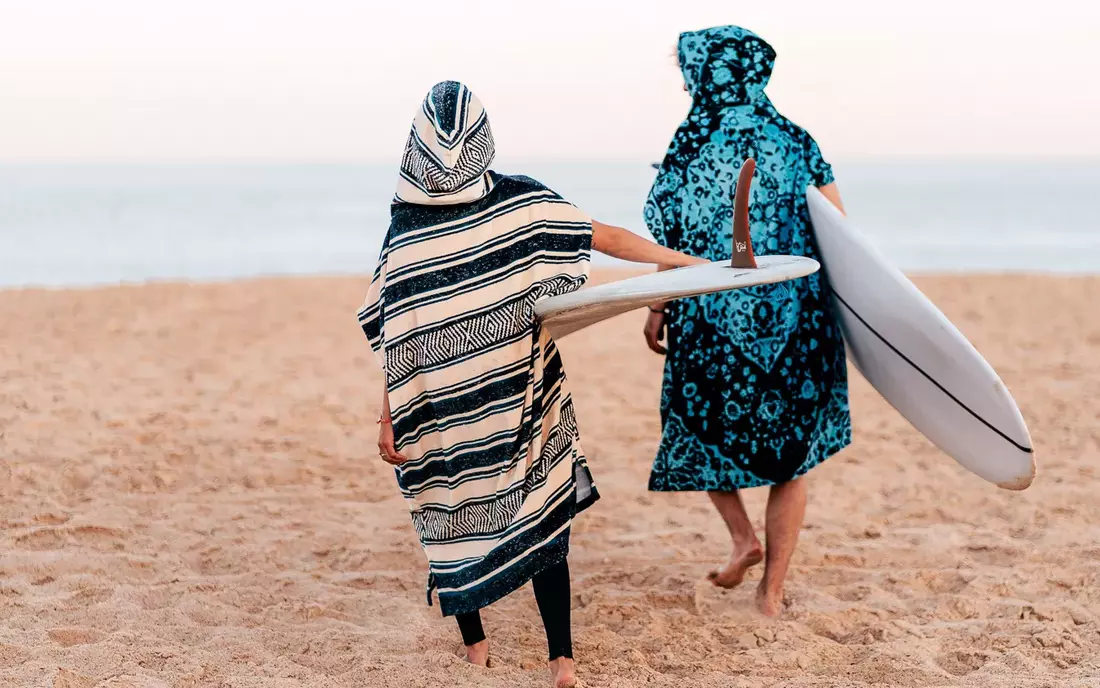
(151, 81)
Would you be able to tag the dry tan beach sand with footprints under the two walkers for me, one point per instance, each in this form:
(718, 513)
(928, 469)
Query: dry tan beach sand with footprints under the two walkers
(192, 497)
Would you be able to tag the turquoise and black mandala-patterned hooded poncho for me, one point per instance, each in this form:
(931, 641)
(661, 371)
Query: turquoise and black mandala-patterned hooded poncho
(755, 383)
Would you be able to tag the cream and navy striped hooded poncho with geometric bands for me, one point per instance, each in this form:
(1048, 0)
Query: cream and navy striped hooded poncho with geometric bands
(478, 395)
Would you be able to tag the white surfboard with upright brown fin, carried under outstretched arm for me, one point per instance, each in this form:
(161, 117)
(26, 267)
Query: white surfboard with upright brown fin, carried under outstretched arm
(569, 313)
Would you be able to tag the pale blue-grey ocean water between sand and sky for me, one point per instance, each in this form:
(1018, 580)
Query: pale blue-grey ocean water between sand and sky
(83, 225)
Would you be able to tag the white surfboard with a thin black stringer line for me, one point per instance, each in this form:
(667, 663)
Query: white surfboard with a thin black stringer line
(918, 361)
